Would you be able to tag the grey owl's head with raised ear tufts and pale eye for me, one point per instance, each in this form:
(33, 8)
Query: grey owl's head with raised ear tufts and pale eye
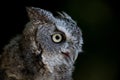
(57, 39)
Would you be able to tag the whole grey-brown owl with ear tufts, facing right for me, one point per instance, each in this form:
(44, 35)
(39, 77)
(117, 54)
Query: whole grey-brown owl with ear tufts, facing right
(46, 50)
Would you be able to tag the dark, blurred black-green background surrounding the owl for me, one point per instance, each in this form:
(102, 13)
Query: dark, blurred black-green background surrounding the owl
(99, 21)
